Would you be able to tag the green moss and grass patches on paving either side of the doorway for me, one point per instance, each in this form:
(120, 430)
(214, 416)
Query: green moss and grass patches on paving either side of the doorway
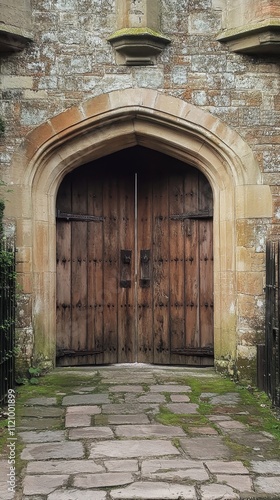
(254, 408)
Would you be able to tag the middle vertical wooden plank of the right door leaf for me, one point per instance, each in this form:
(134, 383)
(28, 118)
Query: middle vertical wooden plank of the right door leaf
(177, 268)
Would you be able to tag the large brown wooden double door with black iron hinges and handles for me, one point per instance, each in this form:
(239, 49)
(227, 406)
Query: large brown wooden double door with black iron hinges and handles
(135, 262)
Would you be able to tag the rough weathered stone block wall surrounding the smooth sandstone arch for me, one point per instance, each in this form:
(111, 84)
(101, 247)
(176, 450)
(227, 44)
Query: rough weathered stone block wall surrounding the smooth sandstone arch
(71, 60)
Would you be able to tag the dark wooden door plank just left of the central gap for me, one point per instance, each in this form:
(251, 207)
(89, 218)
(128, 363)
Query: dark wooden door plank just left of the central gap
(126, 276)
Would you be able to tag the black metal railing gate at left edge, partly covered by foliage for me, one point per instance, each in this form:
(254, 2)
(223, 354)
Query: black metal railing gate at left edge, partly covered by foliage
(7, 320)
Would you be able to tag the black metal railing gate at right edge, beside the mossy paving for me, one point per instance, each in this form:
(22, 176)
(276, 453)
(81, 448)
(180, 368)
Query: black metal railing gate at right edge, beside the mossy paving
(268, 362)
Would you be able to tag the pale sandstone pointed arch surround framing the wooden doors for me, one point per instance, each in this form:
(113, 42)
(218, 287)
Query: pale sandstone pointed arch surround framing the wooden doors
(111, 122)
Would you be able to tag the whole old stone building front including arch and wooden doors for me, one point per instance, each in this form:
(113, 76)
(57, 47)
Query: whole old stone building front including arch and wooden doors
(141, 160)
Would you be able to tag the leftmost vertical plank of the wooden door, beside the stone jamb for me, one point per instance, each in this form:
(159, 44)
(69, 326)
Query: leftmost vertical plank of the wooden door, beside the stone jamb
(63, 275)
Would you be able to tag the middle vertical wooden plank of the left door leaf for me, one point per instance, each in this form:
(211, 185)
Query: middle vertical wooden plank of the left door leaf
(95, 269)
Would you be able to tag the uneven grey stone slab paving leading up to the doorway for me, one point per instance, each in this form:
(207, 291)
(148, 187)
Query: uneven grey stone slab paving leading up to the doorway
(112, 446)
